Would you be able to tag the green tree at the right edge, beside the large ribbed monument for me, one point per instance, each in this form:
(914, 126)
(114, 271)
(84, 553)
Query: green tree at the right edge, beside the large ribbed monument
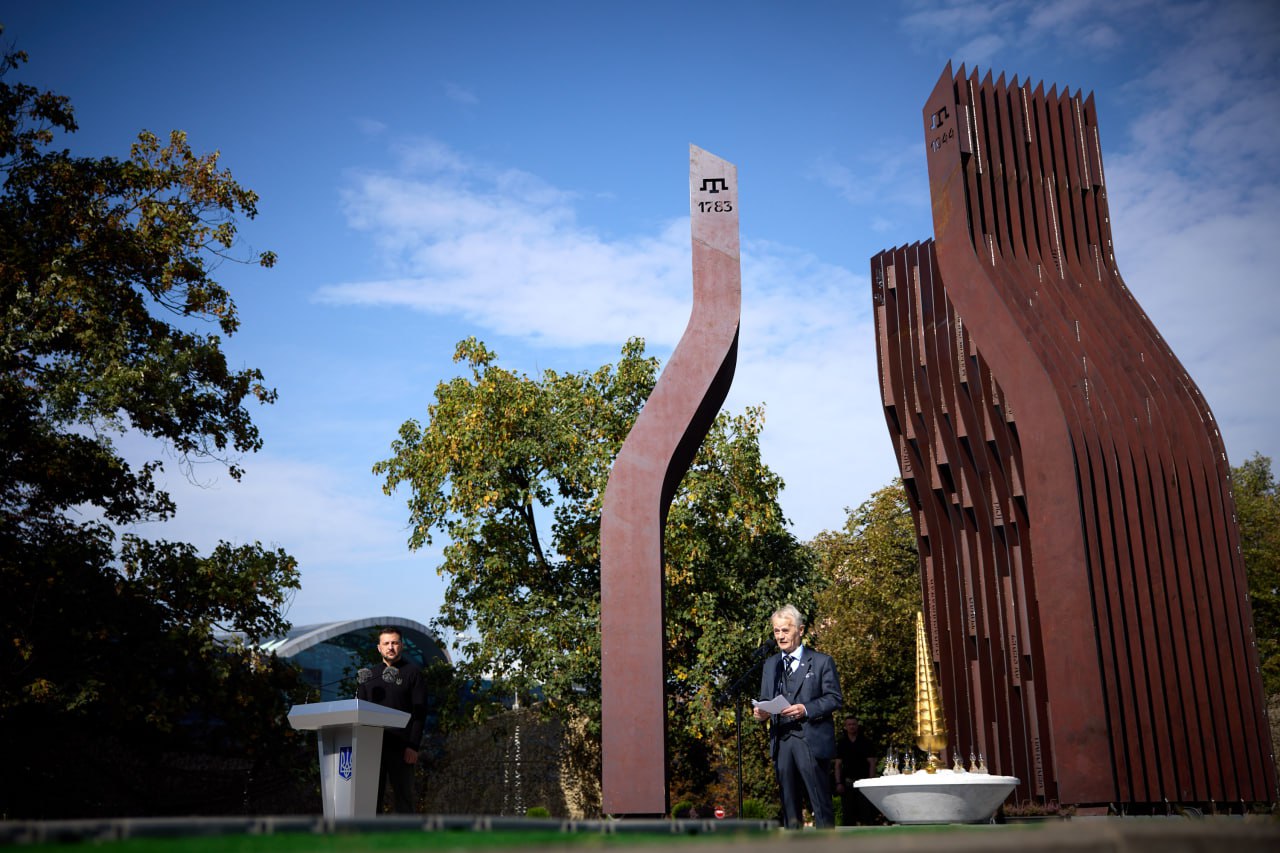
(1258, 508)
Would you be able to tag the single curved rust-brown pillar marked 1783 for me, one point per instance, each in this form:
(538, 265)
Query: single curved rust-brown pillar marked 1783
(648, 469)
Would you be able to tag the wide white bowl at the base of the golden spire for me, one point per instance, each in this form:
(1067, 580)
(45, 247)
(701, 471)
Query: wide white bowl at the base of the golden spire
(945, 797)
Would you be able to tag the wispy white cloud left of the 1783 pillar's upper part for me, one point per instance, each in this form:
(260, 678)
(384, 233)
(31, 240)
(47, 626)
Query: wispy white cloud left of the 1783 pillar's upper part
(504, 250)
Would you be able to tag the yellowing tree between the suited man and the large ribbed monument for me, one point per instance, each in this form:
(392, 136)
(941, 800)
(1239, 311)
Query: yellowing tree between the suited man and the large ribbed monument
(868, 612)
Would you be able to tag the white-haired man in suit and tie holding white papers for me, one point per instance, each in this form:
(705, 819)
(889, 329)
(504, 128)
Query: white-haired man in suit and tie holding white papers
(802, 736)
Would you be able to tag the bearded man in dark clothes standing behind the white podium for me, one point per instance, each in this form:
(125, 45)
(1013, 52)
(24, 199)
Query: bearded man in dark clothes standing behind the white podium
(397, 683)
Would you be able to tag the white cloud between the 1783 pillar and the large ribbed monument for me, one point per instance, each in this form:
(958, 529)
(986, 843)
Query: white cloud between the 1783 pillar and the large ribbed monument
(810, 355)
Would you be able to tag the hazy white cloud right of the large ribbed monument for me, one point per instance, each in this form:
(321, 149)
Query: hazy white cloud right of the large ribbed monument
(1196, 199)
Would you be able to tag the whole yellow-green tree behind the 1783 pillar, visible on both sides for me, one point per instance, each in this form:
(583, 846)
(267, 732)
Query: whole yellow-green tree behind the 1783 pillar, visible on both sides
(513, 471)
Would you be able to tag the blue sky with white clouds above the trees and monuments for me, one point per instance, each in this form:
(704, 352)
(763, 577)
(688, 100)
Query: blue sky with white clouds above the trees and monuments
(519, 172)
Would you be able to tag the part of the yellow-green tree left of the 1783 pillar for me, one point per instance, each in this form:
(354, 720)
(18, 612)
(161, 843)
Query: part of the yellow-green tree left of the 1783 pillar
(511, 469)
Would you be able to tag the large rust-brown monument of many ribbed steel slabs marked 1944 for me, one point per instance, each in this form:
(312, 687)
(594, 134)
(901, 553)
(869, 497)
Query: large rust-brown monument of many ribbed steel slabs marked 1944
(1081, 565)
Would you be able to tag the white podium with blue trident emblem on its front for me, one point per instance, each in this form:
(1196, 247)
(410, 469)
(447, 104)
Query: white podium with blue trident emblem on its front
(350, 741)
